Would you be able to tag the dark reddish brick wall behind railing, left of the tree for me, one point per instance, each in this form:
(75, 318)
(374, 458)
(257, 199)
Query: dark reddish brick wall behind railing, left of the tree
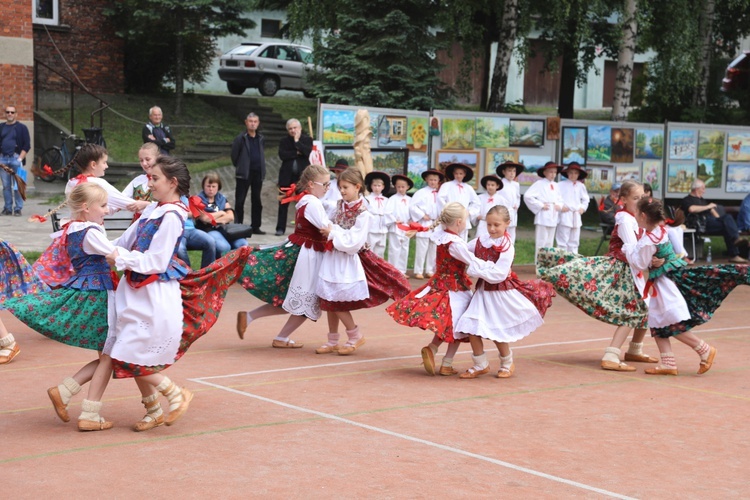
(87, 41)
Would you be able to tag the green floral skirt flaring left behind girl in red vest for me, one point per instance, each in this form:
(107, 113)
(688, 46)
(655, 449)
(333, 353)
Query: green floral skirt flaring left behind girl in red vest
(268, 272)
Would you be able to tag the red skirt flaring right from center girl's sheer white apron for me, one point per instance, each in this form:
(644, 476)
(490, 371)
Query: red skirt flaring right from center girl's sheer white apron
(384, 282)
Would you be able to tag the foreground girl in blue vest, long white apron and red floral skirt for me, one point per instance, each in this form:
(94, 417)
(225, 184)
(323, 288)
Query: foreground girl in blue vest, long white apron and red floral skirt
(158, 317)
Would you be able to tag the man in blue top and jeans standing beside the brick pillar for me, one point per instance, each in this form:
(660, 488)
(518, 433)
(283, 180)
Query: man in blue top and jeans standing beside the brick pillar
(15, 143)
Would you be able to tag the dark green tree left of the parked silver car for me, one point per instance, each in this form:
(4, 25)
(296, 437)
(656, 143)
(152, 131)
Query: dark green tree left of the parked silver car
(170, 41)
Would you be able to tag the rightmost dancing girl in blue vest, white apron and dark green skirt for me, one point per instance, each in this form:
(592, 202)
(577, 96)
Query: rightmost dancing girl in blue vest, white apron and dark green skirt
(681, 297)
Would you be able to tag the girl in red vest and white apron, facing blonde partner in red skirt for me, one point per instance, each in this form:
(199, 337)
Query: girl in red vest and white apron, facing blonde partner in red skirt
(503, 308)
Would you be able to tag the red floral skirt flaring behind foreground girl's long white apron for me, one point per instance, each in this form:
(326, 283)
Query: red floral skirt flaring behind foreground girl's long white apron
(203, 294)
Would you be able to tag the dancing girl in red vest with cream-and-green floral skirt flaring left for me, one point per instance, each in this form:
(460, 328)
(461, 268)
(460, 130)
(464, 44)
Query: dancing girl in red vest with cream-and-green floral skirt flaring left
(605, 287)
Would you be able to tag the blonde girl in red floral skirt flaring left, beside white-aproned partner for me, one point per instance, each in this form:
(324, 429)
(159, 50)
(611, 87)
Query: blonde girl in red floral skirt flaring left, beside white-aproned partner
(438, 304)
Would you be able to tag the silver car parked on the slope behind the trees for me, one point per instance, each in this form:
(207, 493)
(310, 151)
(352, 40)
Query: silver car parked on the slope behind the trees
(269, 67)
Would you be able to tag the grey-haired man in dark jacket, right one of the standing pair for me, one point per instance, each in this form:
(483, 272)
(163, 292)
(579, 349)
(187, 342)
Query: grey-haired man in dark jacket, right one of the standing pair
(294, 152)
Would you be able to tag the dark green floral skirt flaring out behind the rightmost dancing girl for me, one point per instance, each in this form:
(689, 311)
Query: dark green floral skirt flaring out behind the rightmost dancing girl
(704, 288)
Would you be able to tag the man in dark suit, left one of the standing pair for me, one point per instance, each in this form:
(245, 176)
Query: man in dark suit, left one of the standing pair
(248, 157)
